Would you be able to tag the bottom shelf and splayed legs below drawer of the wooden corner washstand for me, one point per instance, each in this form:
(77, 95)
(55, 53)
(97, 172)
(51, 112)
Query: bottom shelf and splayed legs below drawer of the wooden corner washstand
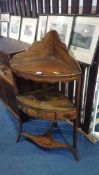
(46, 140)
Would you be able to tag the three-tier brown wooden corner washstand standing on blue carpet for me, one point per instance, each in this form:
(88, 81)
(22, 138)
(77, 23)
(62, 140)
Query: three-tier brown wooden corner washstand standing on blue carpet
(47, 63)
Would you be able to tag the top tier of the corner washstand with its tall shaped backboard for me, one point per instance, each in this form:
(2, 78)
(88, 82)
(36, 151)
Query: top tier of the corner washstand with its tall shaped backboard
(46, 60)
